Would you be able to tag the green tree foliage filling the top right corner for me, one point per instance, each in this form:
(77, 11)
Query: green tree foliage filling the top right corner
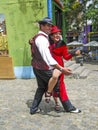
(77, 14)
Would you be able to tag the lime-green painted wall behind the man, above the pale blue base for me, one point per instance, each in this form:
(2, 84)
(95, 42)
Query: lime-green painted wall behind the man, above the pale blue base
(21, 24)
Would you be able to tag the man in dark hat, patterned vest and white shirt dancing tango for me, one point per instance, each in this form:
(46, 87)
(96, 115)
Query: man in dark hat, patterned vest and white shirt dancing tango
(42, 62)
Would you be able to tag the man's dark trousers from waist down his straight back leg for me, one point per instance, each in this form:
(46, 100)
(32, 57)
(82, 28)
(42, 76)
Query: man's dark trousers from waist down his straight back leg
(42, 77)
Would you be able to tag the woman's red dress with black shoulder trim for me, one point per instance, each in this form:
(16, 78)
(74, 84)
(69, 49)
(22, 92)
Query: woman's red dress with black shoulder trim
(59, 52)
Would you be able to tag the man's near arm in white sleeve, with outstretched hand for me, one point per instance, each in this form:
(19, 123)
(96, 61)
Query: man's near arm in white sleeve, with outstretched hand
(43, 46)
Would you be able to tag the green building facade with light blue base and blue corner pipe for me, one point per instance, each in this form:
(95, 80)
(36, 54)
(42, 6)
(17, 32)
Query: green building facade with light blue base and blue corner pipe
(20, 19)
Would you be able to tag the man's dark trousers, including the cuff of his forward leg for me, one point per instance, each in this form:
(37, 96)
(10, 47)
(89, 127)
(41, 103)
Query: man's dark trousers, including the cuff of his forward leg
(42, 77)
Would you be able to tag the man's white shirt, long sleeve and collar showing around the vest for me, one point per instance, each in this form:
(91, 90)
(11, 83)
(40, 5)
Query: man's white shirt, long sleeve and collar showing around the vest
(42, 44)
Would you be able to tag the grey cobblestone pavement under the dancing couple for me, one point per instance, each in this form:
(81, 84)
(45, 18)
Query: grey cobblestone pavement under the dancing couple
(16, 97)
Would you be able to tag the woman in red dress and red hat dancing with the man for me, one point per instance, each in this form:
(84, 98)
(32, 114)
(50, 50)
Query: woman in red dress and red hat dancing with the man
(59, 52)
